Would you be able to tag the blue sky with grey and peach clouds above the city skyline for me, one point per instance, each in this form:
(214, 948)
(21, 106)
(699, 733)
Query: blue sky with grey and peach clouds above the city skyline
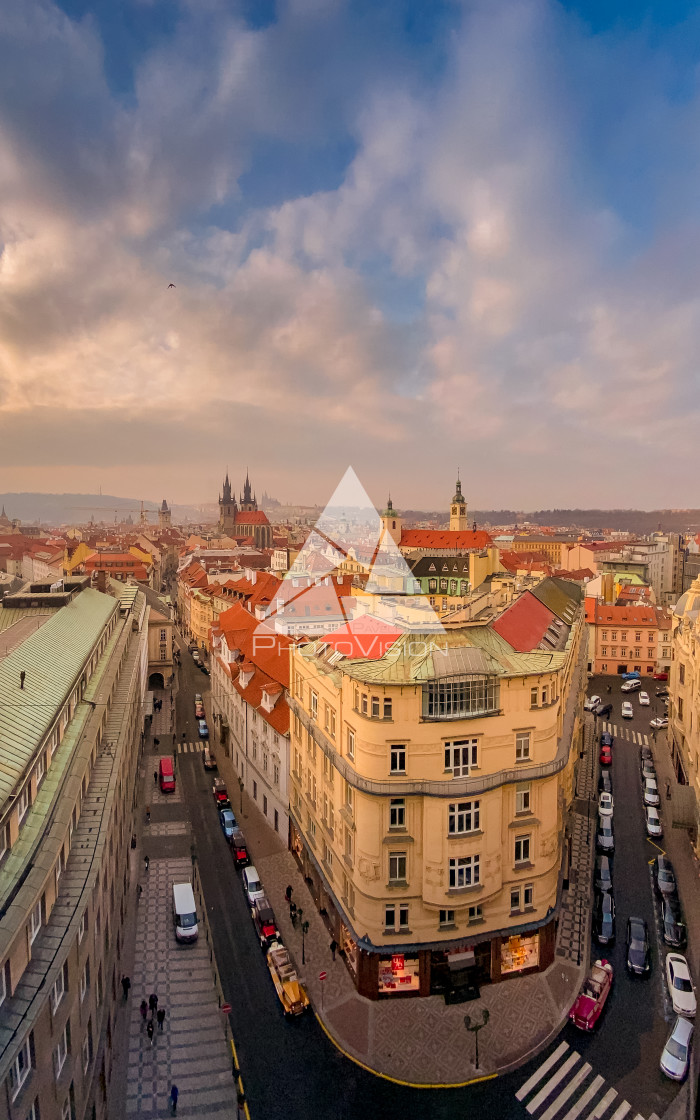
(405, 238)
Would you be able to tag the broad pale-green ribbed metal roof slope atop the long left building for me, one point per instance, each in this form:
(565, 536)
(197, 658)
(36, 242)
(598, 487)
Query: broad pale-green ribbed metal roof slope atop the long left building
(53, 659)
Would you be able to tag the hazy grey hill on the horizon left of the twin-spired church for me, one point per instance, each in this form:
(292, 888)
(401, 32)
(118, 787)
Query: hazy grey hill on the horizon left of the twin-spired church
(78, 509)
